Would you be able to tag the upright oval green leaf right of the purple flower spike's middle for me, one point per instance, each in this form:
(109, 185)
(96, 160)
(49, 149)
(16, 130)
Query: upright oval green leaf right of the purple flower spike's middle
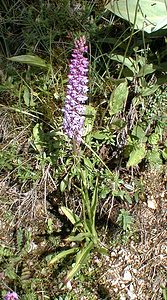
(118, 98)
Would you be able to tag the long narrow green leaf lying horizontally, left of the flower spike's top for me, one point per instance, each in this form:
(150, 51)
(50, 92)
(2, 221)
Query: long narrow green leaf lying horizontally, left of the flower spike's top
(30, 60)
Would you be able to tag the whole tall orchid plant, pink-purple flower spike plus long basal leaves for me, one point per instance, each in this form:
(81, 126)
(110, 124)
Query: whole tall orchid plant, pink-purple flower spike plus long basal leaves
(84, 229)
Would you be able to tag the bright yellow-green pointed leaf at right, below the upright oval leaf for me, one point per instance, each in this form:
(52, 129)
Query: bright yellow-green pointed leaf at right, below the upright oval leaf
(136, 156)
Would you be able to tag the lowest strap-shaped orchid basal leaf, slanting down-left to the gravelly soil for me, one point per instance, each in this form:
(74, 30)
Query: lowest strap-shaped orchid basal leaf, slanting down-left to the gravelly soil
(80, 259)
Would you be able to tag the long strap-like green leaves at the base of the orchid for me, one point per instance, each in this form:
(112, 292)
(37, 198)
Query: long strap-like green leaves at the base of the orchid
(85, 226)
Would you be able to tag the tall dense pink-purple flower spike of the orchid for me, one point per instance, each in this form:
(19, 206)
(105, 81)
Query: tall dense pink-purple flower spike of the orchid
(77, 89)
